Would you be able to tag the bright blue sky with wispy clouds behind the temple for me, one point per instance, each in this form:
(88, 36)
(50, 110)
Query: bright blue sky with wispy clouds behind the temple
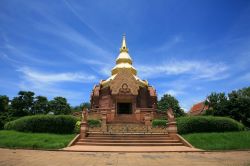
(187, 48)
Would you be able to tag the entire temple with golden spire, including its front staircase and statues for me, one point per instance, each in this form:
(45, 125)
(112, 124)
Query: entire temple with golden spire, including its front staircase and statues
(124, 107)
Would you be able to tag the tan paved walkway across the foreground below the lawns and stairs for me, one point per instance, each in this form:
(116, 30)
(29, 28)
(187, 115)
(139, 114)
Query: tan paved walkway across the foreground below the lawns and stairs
(61, 158)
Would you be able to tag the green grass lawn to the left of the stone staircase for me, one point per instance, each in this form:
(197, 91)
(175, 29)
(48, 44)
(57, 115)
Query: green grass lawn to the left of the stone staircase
(14, 139)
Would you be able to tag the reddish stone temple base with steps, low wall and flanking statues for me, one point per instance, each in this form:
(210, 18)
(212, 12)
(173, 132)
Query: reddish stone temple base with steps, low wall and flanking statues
(121, 132)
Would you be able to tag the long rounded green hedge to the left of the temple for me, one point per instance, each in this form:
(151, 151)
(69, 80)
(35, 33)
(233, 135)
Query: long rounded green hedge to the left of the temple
(61, 124)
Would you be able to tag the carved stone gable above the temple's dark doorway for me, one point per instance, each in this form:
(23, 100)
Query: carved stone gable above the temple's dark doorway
(124, 83)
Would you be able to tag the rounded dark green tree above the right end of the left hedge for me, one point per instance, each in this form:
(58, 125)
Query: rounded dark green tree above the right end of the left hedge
(59, 105)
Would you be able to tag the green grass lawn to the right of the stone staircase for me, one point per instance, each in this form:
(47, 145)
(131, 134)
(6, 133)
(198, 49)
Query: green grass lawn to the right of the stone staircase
(220, 141)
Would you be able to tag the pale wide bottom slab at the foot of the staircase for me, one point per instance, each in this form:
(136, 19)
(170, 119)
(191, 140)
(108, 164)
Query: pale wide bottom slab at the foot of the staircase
(84, 148)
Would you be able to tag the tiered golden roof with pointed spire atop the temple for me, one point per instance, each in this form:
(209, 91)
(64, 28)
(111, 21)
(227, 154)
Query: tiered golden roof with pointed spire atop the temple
(124, 62)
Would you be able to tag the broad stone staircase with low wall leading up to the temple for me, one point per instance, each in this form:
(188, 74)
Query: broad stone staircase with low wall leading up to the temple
(125, 134)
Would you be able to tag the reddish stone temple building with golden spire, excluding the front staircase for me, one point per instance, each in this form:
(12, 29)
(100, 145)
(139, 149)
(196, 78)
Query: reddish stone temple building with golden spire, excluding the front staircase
(124, 96)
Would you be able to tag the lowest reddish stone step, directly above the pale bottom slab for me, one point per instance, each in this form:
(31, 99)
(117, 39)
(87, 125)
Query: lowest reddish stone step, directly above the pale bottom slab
(129, 144)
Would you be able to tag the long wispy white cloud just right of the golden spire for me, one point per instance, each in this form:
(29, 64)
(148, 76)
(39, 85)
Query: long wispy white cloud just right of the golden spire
(196, 69)
